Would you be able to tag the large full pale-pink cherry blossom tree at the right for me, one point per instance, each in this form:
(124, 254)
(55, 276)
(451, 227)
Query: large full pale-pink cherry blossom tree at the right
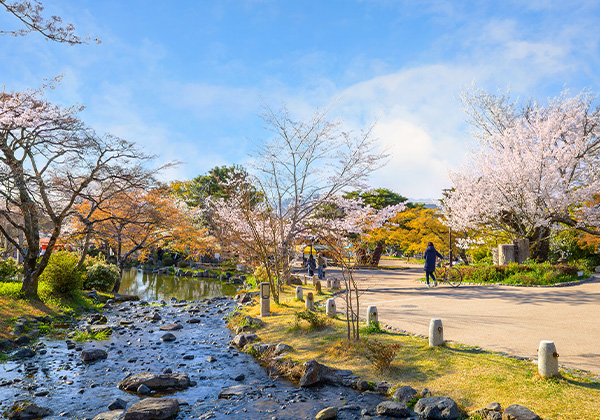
(534, 166)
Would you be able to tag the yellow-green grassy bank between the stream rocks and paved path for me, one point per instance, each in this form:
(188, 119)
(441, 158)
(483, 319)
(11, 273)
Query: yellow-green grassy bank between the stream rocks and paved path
(471, 377)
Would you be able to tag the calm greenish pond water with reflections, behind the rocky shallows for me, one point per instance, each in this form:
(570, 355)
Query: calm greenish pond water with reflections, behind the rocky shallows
(151, 287)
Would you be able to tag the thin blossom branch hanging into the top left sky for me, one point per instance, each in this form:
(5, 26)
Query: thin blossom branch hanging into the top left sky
(29, 12)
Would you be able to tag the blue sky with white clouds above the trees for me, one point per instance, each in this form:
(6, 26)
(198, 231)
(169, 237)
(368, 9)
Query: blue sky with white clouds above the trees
(185, 79)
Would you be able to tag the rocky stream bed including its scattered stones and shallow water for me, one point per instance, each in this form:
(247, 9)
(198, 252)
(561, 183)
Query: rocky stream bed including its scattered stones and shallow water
(166, 341)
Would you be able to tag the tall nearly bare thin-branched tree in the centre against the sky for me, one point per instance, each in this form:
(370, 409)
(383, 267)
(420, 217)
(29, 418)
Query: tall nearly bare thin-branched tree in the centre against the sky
(303, 165)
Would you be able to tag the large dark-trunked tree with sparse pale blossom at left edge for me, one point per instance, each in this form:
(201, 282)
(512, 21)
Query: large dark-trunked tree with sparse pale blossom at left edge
(48, 157)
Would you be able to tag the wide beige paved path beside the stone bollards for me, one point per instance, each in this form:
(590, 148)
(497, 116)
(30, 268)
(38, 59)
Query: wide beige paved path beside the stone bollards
(498, 318)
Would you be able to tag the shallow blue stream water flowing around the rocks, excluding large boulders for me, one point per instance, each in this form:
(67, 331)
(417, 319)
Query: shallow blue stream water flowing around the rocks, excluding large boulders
(81, 391)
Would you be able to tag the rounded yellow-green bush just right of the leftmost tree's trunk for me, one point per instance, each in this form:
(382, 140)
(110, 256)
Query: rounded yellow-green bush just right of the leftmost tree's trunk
(62, 275)
